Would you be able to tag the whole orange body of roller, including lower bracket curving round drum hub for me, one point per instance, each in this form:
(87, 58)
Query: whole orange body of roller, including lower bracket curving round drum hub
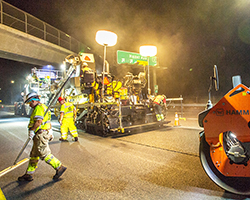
(231, 113)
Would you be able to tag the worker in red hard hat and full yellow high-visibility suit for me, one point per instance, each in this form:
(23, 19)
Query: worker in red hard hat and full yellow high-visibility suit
(67, 120)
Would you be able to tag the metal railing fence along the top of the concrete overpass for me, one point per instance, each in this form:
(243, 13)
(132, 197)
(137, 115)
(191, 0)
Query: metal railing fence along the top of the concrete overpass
(22, 21)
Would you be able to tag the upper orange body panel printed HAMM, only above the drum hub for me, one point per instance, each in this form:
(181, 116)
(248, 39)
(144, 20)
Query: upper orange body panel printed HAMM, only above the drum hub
(231, 113)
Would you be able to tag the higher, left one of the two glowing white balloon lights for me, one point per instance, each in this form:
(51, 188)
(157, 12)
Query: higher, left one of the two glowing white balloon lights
(106, 38)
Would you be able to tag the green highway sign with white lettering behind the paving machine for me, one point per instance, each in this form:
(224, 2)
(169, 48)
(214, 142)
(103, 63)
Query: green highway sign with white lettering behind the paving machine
(125, 57)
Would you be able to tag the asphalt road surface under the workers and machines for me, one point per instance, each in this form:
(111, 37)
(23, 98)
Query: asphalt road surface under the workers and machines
(160, 164)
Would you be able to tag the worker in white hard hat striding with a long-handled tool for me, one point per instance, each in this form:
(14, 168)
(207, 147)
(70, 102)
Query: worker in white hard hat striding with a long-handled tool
(39, 130)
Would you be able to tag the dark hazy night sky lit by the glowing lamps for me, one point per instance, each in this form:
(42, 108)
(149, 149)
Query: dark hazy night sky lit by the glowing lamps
(191, 36)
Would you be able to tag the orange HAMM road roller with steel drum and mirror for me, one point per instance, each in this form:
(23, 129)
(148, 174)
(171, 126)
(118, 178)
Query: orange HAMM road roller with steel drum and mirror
(225, 141)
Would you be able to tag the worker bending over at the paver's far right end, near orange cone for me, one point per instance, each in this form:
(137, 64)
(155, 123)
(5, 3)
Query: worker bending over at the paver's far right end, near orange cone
(159, 101)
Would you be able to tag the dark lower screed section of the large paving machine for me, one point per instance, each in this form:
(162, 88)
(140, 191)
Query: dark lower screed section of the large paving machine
(106, 119)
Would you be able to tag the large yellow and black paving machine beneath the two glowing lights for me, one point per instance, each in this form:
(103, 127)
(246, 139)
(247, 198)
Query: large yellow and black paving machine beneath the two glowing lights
(113, 106)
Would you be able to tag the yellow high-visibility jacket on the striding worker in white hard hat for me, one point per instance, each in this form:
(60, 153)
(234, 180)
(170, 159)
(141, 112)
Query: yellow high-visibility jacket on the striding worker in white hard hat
(37, 114)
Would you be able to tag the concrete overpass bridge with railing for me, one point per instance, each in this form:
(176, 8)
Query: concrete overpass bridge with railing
(25, 38)
